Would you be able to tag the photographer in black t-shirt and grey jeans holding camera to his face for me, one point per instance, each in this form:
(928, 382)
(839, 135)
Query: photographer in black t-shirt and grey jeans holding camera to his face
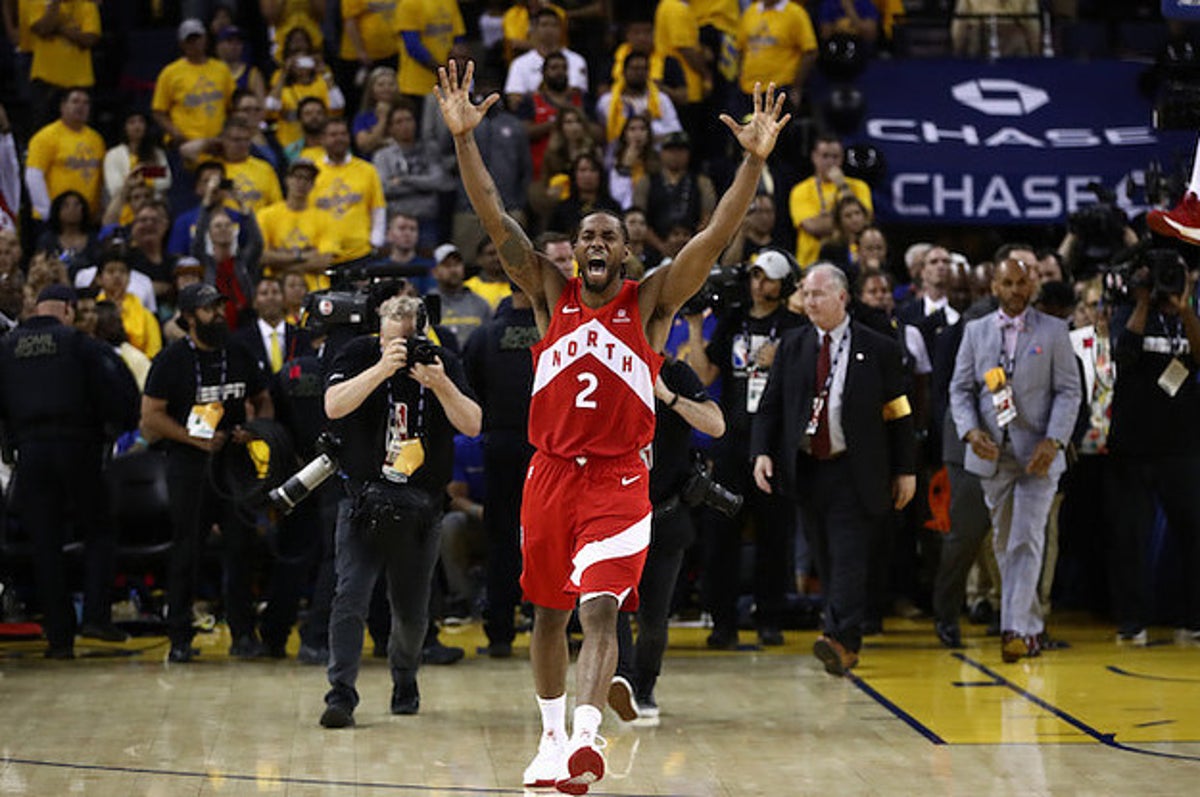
(395, 403)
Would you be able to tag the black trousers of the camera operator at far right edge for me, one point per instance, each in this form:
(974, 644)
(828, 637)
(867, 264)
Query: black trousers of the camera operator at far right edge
(1173, 482)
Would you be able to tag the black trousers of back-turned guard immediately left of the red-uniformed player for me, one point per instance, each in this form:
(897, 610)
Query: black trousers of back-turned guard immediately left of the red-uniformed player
(506, 462)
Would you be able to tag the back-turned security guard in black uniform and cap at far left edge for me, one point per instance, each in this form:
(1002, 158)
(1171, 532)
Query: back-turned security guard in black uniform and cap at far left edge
(61, 389)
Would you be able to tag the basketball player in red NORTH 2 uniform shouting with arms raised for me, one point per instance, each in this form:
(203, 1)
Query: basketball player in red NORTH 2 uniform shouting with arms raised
(586, 510)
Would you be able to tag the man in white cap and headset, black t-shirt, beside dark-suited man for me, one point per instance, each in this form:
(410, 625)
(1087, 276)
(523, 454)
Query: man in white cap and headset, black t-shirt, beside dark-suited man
(741, 353)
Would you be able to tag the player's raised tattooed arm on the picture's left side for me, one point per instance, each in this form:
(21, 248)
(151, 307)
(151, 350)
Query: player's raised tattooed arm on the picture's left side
(463, 116)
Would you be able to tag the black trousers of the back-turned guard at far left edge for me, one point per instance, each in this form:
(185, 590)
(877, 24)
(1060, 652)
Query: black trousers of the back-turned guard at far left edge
(61, 483)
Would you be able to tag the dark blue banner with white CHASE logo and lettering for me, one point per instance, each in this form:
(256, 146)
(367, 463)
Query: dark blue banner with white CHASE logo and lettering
(1012, 142)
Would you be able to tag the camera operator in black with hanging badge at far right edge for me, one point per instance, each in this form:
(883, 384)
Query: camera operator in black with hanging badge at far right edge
(1155, 440)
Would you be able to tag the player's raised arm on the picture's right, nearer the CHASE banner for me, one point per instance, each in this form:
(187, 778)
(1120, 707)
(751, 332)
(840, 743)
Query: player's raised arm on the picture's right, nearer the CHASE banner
(667, 291)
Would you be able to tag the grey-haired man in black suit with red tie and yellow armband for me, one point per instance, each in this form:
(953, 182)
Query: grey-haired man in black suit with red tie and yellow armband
(837, 428)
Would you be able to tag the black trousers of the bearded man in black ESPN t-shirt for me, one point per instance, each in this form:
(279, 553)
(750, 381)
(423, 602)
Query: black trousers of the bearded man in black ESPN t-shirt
(194, 507)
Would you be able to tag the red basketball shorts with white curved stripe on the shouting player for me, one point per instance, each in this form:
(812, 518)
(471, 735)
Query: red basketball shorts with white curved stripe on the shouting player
(585, 529)
